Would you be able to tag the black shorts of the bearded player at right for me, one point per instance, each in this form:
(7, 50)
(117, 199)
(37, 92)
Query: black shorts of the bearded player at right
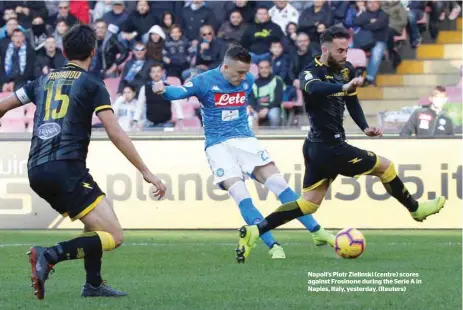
(323, 162)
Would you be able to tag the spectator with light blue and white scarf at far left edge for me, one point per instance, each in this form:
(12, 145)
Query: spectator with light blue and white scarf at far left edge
(17, 62)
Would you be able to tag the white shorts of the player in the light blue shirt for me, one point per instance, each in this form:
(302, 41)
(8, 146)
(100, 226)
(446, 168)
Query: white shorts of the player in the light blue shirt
(235, 158)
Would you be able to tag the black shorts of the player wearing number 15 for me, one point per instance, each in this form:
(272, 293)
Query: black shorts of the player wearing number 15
(67, 186)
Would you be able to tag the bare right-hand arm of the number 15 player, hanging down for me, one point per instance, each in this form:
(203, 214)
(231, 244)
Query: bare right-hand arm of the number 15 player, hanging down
(122, 141)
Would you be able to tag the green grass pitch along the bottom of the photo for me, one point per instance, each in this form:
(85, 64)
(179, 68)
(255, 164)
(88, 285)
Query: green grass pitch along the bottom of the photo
(197, 270)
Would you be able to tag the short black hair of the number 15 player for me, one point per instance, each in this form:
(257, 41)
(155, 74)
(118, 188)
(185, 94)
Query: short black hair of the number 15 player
(79, 42)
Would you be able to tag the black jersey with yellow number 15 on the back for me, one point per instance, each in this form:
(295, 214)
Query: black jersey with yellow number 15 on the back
(65, 101)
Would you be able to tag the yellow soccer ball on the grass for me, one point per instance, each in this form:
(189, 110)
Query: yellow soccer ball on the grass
(349, 243)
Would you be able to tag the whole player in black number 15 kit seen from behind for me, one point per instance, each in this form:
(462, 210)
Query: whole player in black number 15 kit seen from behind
(66, 100)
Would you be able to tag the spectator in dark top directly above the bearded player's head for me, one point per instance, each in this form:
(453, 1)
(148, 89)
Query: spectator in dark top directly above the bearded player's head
(315, 19)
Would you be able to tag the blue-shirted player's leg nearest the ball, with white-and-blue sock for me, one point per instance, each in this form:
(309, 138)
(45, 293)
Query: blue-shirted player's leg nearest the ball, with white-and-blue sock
(270, 176)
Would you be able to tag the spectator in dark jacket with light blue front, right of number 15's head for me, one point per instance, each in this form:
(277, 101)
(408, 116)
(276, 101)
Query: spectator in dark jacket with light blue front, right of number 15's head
(136, 70)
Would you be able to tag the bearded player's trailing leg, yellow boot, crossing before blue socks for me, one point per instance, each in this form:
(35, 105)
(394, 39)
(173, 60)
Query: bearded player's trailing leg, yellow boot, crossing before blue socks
(307, 204)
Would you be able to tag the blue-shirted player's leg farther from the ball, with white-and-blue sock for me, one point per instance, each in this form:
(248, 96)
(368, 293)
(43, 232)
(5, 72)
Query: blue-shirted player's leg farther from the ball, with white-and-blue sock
(239, 193)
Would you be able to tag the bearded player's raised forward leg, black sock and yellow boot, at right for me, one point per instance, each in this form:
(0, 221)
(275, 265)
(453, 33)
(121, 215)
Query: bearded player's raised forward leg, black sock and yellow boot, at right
(396, 188)
